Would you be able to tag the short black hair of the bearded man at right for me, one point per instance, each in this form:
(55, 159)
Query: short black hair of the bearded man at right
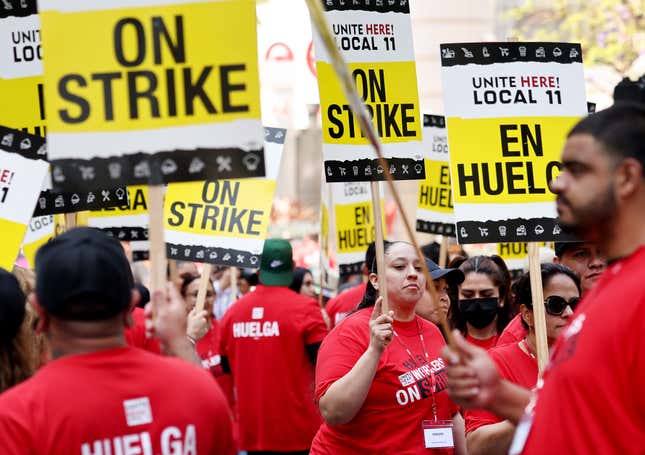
(620, 128)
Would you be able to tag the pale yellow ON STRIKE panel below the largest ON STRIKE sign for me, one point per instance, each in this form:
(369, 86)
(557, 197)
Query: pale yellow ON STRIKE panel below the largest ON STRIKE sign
(220, 208)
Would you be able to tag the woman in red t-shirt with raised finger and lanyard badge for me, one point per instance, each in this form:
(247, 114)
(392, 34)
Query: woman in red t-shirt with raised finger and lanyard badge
(380, 377)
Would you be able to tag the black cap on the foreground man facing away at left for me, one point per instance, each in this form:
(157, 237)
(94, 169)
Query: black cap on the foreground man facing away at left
(83, 275)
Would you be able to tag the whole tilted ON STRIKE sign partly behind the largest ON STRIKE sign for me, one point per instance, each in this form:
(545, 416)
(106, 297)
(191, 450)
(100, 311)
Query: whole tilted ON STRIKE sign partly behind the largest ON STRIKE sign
(223, 221)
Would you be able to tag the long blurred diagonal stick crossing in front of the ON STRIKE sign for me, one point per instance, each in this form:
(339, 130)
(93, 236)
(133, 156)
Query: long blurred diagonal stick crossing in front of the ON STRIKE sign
(367, 127)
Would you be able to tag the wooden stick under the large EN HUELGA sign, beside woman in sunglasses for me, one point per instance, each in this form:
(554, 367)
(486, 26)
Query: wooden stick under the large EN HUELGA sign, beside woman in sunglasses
(539, 313)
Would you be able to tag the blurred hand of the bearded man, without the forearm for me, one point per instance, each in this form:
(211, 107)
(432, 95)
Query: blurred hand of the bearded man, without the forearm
(473, 379)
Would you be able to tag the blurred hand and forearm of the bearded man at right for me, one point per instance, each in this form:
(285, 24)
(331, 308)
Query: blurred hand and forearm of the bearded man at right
(474, 382)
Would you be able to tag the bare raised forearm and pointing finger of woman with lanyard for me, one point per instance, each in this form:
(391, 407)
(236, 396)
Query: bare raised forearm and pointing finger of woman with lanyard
(346, 396)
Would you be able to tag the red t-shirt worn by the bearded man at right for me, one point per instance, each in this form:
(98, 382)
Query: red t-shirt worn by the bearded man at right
(592, 400)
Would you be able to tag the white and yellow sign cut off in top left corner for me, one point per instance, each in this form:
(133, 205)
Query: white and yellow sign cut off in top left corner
(21, 82)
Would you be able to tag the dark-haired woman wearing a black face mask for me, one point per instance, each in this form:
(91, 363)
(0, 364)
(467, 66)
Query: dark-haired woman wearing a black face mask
(482, 308)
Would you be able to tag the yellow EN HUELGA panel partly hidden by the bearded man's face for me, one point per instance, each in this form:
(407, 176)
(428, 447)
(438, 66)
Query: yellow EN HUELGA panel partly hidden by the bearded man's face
(506, 160)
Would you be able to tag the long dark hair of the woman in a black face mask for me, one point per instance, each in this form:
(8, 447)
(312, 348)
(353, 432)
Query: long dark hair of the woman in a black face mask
(495, 268)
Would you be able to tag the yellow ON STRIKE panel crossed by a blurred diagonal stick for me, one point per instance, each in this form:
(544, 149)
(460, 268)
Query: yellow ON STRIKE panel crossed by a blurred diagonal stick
(390, 92)
